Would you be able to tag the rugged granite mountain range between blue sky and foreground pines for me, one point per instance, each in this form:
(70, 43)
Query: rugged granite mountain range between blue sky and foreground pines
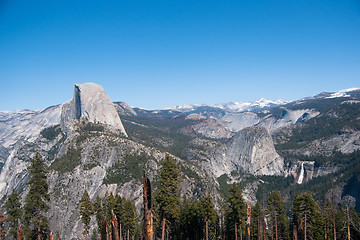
(247, 147)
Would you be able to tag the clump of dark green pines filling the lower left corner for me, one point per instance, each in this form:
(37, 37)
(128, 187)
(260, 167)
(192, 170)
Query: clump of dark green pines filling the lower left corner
(29, 221)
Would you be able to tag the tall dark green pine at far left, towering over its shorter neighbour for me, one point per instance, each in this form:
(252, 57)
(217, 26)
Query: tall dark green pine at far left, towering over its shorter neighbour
(36, 201)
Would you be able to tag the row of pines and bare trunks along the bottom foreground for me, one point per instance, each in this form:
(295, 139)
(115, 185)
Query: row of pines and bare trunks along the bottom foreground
(115, 217)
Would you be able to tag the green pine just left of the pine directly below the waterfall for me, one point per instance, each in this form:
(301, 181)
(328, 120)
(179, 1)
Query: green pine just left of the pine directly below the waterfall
(277, 215)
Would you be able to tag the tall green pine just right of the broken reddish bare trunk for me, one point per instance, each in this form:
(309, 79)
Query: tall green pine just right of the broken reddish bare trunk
(168, 194)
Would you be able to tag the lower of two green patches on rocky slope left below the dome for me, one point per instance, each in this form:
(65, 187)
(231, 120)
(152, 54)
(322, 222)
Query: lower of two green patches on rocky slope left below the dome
(68, 161)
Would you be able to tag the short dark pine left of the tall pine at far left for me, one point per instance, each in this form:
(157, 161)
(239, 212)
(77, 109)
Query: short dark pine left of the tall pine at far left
(14, 212)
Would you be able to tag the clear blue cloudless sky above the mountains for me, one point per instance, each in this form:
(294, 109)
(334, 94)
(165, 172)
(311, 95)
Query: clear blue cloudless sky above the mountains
(169, 52)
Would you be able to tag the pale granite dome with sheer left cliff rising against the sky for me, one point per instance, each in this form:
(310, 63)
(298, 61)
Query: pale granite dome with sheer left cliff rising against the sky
(92, 104)
